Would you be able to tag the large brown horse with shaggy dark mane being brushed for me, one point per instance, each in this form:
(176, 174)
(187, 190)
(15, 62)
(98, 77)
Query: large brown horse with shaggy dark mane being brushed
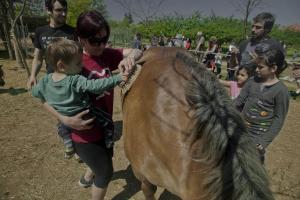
(181, 132)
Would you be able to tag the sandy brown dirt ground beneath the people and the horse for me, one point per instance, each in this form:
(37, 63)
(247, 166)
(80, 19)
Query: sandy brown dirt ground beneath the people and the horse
(32, 166)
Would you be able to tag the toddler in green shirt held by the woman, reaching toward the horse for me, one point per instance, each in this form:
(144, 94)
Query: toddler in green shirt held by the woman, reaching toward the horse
(67, 91)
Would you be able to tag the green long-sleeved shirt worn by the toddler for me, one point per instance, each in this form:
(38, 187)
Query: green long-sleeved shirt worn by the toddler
(69, 96)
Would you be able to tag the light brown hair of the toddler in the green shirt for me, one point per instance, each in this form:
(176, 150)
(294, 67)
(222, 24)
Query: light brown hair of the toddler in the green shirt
(62, 49)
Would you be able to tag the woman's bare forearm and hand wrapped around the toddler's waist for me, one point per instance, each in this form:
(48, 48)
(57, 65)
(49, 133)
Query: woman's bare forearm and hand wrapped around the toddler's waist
(75, 122)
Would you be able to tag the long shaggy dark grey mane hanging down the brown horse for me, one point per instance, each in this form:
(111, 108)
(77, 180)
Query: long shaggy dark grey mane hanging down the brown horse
(236, 171)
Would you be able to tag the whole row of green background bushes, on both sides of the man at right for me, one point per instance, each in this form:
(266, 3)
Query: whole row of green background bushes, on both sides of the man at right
(225, 29)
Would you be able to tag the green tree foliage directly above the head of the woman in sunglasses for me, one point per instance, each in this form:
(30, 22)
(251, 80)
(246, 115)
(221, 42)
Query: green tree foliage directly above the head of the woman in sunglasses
(75, 7)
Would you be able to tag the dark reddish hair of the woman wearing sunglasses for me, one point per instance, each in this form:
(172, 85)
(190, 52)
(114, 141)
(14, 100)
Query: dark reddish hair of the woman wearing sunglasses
(90, 23)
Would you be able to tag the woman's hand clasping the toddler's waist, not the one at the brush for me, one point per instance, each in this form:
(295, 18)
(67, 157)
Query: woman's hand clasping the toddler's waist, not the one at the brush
(77, 122)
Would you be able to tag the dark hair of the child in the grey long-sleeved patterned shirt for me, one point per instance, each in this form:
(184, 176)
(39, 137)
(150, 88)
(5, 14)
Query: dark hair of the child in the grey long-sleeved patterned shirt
(272, 55)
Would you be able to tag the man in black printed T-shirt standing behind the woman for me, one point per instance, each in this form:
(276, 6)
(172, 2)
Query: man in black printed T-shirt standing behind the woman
(57, 10)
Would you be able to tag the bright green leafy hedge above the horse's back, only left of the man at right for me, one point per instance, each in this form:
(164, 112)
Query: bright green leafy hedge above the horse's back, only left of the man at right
(226, 29)
